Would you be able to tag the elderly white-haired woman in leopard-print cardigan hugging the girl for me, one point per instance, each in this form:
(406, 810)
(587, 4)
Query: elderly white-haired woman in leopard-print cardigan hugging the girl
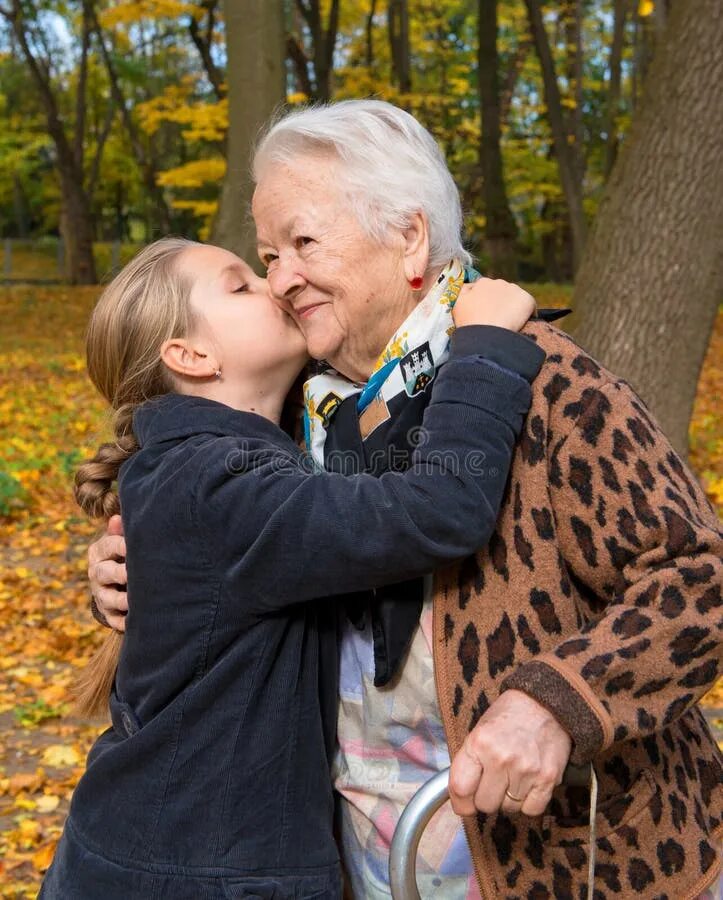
(588, 628)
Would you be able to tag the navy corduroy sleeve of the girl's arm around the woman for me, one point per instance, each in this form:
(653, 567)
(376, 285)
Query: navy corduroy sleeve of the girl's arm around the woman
(298, 534)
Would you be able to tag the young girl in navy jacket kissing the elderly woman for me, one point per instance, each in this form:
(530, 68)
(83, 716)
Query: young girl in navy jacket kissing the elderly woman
(213, 781)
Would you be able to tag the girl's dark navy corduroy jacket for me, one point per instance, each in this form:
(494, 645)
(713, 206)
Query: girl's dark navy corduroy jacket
(216, 768)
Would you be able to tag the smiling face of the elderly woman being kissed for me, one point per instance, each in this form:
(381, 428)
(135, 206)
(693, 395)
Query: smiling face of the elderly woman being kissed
(347, 292)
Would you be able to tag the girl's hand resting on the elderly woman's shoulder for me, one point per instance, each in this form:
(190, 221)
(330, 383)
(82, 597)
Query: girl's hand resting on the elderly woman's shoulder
(491, 301)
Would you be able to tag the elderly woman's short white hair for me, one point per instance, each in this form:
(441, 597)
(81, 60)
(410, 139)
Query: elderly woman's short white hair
(391, 167)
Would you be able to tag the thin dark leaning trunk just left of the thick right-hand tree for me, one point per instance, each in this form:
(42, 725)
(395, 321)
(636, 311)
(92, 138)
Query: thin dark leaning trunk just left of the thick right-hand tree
(566, 155)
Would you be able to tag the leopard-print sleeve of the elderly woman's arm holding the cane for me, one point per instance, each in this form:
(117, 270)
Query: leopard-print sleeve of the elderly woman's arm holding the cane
(639, 536)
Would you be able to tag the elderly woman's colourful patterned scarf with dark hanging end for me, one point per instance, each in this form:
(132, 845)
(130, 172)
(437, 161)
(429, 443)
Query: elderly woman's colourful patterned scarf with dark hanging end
(373, 427)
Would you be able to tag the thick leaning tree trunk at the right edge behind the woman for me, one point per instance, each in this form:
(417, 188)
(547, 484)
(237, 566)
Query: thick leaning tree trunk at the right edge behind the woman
(648, 289)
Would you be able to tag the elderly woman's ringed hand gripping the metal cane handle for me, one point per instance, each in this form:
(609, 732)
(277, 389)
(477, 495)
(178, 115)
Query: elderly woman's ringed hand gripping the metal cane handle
(511, 760)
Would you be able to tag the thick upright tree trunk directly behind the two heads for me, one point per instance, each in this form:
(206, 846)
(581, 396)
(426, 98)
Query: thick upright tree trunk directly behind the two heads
(256, 86)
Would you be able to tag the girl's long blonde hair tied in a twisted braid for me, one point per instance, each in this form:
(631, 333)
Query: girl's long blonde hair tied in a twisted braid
(146, 304)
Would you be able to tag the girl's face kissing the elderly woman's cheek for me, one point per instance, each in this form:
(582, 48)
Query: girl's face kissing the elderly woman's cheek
(251, 336)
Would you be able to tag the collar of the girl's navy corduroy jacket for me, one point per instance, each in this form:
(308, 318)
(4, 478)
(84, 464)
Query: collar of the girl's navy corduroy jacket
(177, 416)
